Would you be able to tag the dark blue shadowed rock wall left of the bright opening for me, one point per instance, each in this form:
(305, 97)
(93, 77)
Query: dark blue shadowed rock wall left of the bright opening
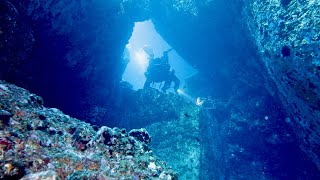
(62, 49)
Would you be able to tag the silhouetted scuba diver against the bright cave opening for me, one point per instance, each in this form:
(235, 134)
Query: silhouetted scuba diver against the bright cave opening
(159, 70)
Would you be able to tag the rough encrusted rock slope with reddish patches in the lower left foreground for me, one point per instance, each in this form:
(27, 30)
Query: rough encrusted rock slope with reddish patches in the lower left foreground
(49, 143)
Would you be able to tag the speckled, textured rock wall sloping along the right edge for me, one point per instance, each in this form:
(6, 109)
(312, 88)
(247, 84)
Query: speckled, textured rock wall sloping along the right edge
(287, 34)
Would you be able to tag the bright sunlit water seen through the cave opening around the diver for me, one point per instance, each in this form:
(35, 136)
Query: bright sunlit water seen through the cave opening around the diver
(144, 33)
